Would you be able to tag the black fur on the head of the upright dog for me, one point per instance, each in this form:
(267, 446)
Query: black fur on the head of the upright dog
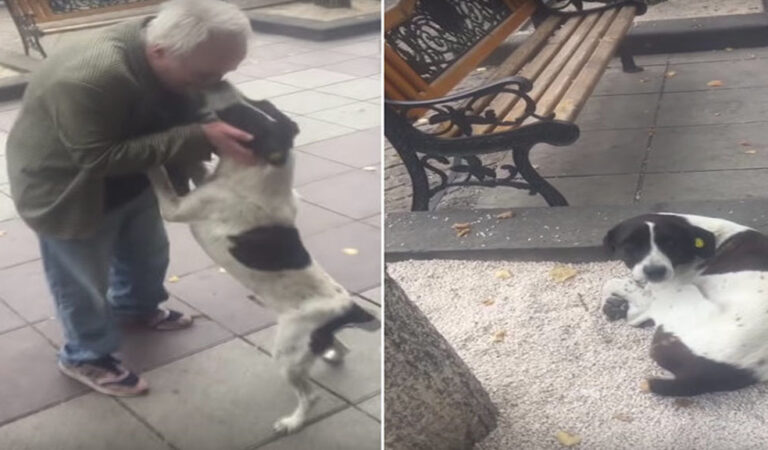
(273, 131)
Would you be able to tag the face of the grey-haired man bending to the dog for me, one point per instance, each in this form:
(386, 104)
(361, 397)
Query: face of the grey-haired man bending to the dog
(204, 66)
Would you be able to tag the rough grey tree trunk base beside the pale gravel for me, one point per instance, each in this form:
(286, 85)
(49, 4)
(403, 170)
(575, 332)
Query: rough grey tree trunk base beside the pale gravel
(432, 400)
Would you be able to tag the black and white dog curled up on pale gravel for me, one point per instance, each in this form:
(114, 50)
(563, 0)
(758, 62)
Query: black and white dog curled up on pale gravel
(704, 283)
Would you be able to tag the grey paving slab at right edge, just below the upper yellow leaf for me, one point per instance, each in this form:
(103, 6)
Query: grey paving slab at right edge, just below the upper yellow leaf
(713, 107)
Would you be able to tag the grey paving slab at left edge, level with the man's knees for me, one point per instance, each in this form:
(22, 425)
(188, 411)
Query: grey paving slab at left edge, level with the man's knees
(25, 290)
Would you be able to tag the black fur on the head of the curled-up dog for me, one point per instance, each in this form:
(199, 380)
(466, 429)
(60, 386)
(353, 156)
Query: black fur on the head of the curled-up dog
(673, 235)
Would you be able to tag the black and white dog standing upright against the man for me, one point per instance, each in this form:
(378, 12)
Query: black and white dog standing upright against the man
(244, 218)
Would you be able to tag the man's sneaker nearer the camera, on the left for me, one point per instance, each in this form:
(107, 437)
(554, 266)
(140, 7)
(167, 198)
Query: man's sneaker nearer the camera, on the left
(106, 375)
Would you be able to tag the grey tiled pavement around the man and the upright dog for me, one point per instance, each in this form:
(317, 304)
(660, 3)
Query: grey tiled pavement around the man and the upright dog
(214, 385)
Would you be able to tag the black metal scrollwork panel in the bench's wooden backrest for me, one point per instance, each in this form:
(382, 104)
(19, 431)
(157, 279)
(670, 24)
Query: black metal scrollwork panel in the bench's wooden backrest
(441, 31)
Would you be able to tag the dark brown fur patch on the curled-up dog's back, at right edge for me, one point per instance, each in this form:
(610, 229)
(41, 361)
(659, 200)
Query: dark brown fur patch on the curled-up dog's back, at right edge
(743, 251)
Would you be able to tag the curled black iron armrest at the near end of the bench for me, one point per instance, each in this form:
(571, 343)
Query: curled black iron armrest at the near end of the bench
(463, 110)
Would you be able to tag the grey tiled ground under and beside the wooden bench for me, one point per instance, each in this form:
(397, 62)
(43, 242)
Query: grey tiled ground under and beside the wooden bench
(648, 137)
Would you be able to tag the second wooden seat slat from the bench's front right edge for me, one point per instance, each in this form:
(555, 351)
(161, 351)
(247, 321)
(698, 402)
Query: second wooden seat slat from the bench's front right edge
(571, 70)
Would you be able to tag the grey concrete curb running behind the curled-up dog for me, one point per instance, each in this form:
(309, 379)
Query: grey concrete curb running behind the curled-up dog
(572, 234)
